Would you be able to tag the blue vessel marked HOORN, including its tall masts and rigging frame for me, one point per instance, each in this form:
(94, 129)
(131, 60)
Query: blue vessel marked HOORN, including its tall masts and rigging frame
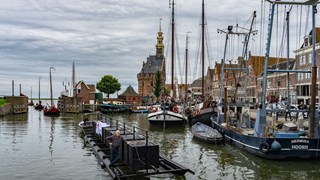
(277, 143)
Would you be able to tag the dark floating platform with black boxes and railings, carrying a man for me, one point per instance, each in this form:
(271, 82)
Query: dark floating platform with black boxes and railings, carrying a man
(140, 157)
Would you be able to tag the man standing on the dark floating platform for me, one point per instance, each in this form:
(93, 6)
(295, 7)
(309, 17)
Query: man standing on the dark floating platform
(116, 141)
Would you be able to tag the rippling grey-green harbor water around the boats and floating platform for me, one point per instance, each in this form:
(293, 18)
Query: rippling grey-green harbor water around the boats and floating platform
(34, 147)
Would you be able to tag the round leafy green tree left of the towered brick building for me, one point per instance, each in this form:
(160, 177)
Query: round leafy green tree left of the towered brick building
(108, 84)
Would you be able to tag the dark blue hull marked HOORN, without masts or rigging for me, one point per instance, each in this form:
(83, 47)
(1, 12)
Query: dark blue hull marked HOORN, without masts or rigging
(283, 145)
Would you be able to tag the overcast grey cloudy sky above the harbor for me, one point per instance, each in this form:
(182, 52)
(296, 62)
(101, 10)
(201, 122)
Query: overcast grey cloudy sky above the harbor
(107, 37)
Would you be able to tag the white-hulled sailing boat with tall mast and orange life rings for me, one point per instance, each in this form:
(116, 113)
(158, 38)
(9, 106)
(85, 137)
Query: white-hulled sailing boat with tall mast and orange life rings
(168, 114)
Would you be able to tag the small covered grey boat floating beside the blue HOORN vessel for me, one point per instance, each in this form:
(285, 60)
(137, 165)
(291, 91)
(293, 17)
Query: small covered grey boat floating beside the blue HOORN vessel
(206, 133)
